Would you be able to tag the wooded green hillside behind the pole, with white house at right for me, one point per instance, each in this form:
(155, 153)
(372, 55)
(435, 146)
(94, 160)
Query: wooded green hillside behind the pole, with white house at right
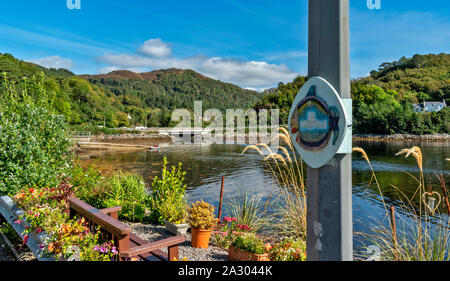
(382, 102)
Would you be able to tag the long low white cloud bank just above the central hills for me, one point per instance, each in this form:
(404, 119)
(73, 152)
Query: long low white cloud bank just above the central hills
(248, 74)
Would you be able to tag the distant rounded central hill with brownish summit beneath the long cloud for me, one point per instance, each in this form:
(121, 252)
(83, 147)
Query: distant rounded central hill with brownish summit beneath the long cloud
(174, 88)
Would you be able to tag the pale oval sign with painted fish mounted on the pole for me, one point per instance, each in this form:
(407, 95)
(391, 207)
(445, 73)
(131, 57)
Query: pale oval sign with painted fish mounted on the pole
(317, 122)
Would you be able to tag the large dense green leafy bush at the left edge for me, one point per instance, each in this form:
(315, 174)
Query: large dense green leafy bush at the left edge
(34, 143)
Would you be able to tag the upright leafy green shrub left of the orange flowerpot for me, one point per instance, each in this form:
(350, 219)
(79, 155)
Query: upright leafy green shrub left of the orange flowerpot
(167, 196)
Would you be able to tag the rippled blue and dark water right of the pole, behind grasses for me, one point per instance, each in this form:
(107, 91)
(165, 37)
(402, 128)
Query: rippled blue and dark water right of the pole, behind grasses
(397, 177)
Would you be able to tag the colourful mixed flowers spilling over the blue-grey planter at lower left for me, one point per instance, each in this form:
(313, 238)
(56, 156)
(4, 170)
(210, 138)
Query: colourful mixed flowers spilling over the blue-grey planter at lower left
(40, 216)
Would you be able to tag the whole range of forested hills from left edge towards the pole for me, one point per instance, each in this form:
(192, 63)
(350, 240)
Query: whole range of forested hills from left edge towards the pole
(110, 99)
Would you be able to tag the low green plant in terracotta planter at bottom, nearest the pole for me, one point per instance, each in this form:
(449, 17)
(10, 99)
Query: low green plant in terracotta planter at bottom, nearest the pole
(248, 247)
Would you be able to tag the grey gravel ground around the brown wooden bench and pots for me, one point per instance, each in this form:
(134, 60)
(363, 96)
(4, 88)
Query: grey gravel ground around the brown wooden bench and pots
(153, 233)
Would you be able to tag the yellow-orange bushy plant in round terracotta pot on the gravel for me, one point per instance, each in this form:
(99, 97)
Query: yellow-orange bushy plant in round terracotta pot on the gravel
(202, 220)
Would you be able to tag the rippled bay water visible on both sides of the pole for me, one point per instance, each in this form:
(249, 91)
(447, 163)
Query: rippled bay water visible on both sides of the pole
(205, 166)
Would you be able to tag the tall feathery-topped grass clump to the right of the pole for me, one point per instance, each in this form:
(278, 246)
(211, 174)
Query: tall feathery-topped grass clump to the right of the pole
(417, 238)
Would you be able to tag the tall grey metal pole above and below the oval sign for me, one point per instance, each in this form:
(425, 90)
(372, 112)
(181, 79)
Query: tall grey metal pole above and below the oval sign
(329, 191)
